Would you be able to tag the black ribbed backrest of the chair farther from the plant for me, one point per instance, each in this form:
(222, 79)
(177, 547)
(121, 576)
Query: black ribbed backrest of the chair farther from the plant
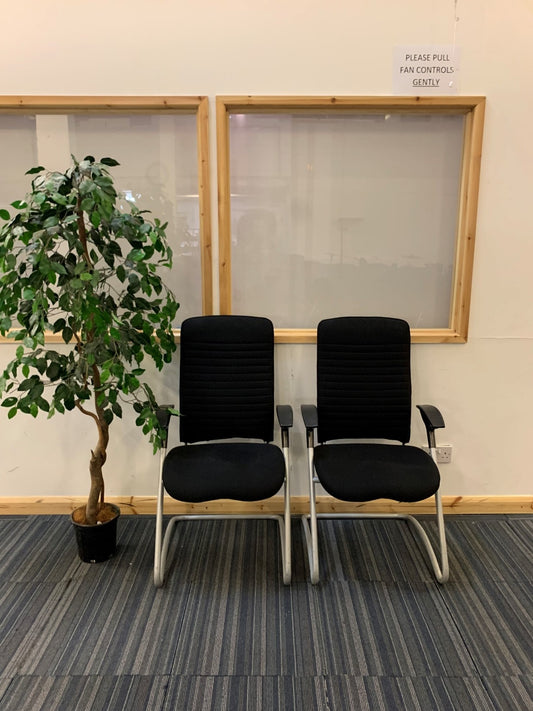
(363, 378)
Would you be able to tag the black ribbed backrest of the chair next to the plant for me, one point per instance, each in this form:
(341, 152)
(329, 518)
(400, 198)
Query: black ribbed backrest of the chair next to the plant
(226, 378)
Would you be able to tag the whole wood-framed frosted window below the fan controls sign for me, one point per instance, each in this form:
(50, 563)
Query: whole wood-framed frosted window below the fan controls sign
(346, 205)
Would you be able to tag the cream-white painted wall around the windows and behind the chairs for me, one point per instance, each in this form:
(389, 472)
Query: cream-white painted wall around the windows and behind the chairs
(484, 387)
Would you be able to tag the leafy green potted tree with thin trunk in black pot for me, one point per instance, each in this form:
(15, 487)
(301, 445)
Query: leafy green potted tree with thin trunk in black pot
(77, 263)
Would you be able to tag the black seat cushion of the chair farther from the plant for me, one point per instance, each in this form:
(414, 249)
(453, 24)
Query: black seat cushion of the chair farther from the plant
(363, 472)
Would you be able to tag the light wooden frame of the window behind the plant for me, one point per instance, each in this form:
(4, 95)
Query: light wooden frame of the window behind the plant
(198, 105)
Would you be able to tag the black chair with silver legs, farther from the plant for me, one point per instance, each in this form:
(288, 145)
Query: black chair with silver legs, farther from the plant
(364, 393)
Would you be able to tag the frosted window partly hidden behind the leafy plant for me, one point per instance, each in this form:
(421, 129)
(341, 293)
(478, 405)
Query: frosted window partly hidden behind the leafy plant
(158, 154)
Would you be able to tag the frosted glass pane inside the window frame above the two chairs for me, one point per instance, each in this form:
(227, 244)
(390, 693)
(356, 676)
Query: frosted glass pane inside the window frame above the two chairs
(344, 214)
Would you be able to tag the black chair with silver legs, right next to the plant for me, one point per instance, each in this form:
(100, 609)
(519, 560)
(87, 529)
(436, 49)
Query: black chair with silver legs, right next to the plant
(226, 396)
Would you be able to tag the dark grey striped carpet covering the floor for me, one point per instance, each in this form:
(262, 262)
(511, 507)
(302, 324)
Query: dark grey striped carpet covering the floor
(224, 633)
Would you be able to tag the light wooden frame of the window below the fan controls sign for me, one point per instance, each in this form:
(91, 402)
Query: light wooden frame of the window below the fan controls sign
(472, 107)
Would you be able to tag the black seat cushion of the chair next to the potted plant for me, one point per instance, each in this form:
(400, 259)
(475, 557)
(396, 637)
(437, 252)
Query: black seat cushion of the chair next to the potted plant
(243, 471)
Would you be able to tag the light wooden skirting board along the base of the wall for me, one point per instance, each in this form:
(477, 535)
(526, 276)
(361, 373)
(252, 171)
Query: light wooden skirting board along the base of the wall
(147, 505)
